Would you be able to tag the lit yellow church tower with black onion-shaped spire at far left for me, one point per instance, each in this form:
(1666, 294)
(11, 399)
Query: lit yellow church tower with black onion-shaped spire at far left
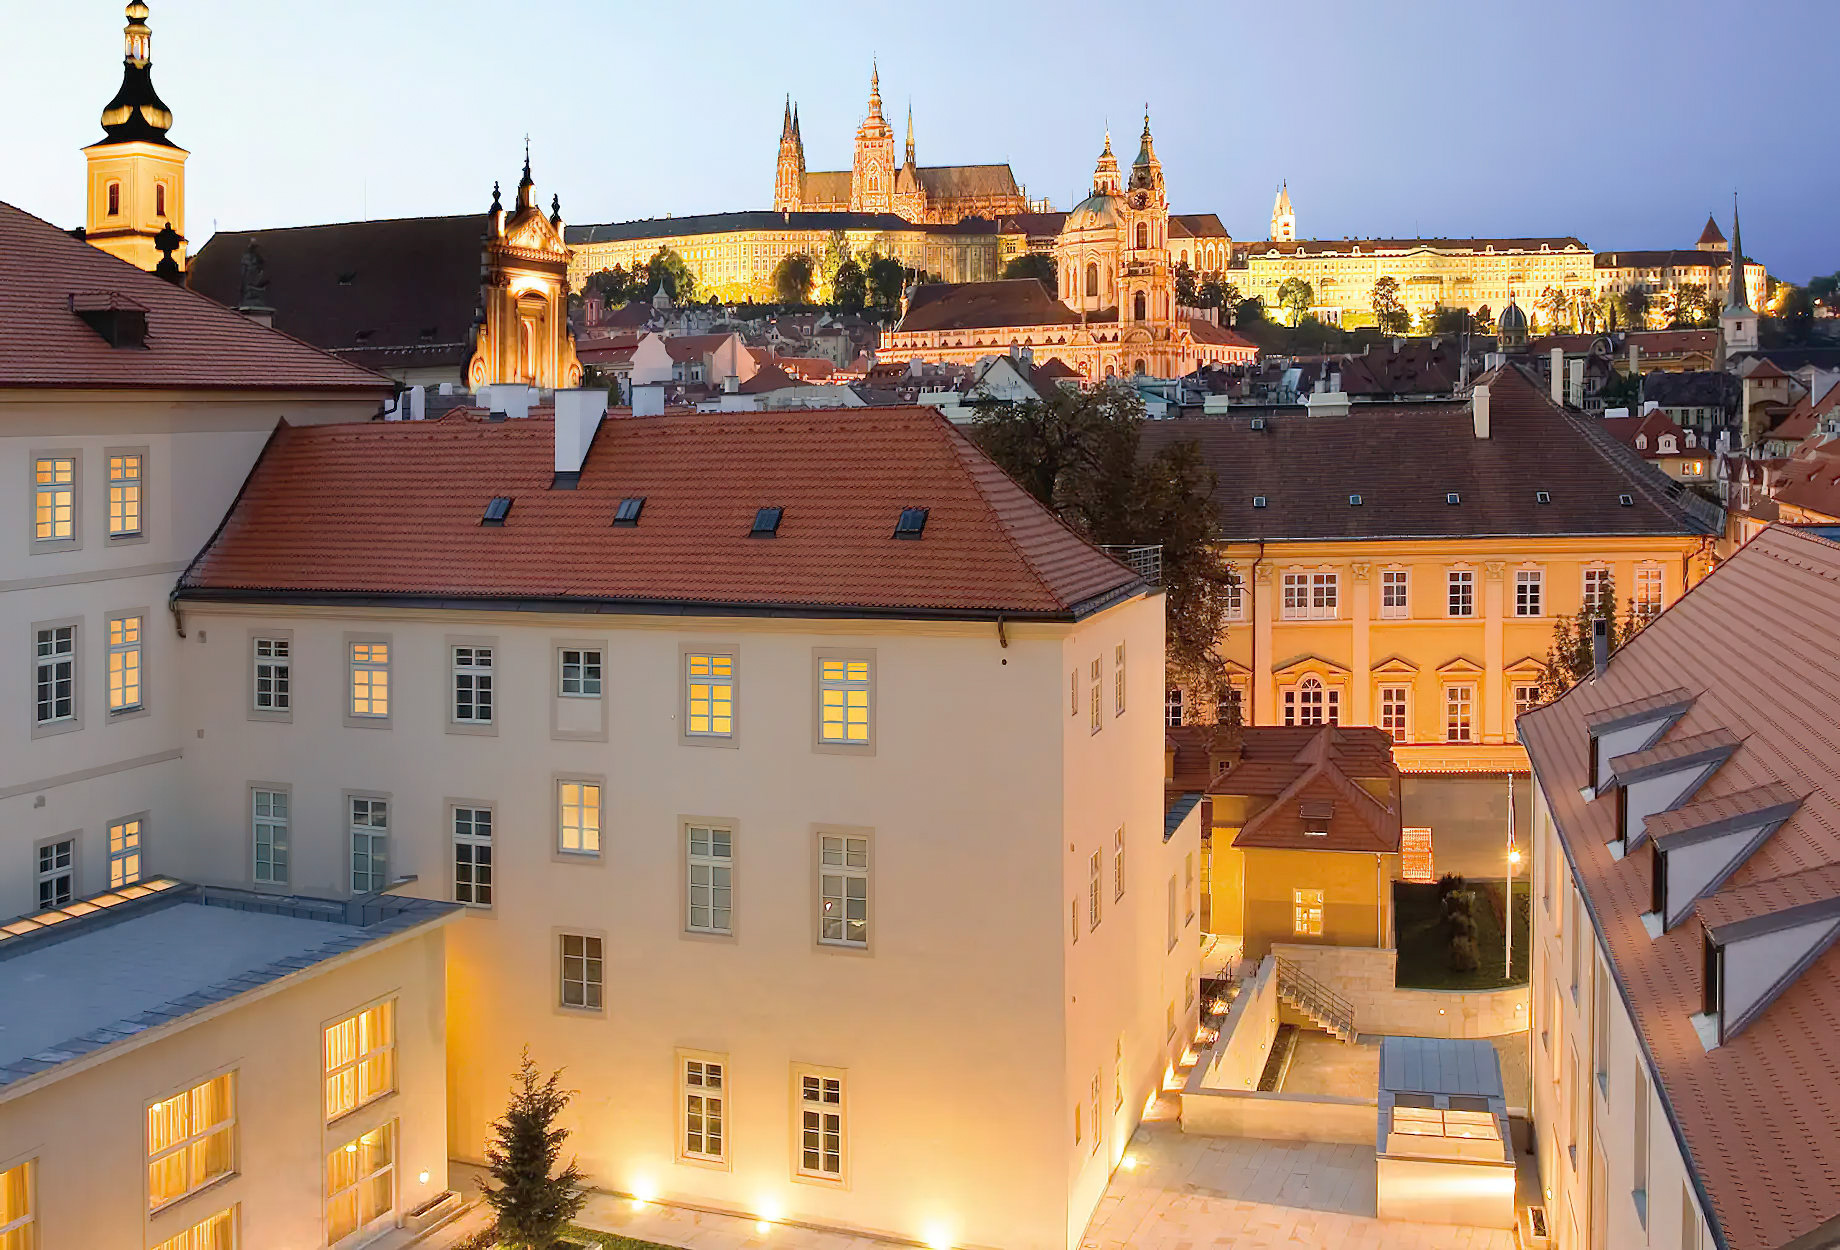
(137, 178)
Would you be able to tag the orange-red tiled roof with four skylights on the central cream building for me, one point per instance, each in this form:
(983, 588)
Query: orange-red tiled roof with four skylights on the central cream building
(393, 513)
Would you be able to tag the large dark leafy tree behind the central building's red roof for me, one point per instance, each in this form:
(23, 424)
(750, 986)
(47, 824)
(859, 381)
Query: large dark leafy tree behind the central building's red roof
(1079, 456)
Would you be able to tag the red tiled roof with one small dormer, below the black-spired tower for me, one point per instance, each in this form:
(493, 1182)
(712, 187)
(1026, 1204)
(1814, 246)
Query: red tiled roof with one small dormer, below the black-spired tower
(192, 343)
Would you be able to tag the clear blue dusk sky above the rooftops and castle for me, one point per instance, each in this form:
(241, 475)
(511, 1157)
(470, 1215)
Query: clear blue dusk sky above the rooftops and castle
(1622, 122)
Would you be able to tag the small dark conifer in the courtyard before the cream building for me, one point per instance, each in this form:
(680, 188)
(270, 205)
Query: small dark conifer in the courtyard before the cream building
(533, 1205)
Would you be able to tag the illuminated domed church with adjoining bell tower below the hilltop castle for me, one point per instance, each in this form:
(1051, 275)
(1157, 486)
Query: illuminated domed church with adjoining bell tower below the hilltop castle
(1116, 310)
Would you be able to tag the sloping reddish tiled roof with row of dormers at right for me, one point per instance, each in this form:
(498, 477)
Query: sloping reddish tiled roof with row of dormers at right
(1760, 1115)
